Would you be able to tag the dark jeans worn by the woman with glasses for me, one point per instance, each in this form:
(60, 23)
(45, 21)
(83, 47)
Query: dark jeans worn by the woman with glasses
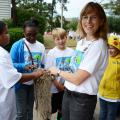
(78, 106)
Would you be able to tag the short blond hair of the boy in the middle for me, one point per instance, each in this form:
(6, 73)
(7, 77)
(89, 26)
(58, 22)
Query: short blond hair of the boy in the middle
(59, 32)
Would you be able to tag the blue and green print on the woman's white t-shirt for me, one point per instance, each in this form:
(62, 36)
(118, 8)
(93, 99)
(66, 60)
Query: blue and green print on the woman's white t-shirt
(76, 60)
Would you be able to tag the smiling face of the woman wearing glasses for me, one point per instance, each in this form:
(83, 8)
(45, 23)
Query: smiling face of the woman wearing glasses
(91, 23)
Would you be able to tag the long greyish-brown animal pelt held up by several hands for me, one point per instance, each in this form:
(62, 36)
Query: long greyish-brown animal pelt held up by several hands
(43, 96)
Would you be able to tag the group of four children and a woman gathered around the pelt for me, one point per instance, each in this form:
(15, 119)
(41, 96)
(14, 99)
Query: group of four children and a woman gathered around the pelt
(81, 74)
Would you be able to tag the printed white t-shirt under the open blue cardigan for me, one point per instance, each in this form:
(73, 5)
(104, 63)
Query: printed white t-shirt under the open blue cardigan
(38, 54)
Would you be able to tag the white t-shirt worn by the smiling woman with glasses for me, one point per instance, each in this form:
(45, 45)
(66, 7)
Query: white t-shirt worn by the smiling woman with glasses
(91, 56)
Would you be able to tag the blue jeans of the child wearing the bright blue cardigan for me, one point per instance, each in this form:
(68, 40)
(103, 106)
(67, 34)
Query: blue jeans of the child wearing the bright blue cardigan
(25, 102)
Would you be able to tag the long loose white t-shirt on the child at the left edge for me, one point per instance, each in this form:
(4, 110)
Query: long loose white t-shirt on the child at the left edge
(8, 78)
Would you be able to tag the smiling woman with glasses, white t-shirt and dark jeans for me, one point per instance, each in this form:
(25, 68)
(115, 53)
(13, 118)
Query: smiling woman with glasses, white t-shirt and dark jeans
(88, 65)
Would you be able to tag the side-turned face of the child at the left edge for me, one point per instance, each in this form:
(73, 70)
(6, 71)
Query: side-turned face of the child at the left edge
(4, 37)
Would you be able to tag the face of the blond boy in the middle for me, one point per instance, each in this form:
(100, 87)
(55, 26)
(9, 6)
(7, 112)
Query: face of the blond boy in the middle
(60, 42)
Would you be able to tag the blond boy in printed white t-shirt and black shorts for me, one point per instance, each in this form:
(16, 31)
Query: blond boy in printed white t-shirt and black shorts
(60, 57)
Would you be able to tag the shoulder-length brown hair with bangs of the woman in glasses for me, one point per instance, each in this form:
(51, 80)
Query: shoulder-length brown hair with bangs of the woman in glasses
(103, 29)
